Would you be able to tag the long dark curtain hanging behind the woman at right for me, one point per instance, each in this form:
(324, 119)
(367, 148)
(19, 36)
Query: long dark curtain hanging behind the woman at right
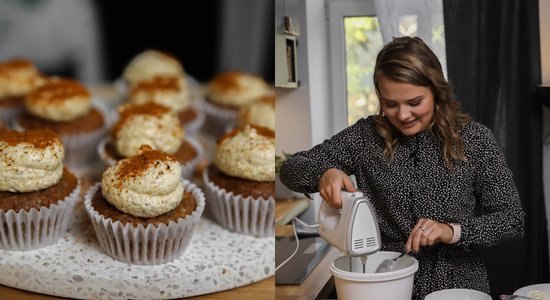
(493, 62)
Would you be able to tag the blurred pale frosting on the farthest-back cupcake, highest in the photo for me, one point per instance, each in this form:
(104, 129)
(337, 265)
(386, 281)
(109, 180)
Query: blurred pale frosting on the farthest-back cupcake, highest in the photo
(149, 64)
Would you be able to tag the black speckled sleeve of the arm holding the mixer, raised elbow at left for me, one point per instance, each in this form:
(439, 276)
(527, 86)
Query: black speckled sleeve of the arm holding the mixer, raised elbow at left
(303, 170)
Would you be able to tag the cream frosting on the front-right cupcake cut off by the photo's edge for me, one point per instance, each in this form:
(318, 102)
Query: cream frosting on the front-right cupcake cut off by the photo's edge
(247, 154)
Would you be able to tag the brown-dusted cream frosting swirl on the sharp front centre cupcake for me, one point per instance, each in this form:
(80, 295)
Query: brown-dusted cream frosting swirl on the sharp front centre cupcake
(150, 192)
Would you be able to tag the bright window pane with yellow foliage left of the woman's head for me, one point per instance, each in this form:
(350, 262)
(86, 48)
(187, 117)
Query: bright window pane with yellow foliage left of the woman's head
(363, 42)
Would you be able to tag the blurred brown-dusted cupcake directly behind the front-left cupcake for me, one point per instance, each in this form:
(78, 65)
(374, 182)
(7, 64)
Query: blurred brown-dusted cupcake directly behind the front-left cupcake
(64, 105)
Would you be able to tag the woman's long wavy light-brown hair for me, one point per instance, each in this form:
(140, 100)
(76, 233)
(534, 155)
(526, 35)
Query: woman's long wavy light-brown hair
(410, 60)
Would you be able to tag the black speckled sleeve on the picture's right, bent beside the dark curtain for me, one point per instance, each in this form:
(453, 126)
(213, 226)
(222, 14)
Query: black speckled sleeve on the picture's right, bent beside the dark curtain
(502, 217)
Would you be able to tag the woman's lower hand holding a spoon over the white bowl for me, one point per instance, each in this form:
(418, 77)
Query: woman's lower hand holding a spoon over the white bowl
(427, 232)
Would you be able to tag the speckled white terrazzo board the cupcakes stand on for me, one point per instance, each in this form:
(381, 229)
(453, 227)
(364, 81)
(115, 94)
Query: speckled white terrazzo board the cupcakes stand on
(76, 267)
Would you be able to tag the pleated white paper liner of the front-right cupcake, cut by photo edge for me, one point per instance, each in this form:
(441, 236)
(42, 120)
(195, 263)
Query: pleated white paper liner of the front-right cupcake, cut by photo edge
(251, 216)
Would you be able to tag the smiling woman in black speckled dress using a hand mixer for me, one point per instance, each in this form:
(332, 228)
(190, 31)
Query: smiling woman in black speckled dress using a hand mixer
(438, 180)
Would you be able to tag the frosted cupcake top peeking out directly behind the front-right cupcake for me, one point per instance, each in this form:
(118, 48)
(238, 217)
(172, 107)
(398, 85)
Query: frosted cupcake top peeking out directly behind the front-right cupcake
(258, 113)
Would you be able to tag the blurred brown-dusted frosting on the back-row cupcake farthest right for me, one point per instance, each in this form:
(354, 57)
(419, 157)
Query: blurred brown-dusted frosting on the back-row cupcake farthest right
(236, 89)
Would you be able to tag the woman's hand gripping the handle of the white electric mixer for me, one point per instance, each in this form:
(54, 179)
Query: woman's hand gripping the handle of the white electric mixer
(331, 185)
